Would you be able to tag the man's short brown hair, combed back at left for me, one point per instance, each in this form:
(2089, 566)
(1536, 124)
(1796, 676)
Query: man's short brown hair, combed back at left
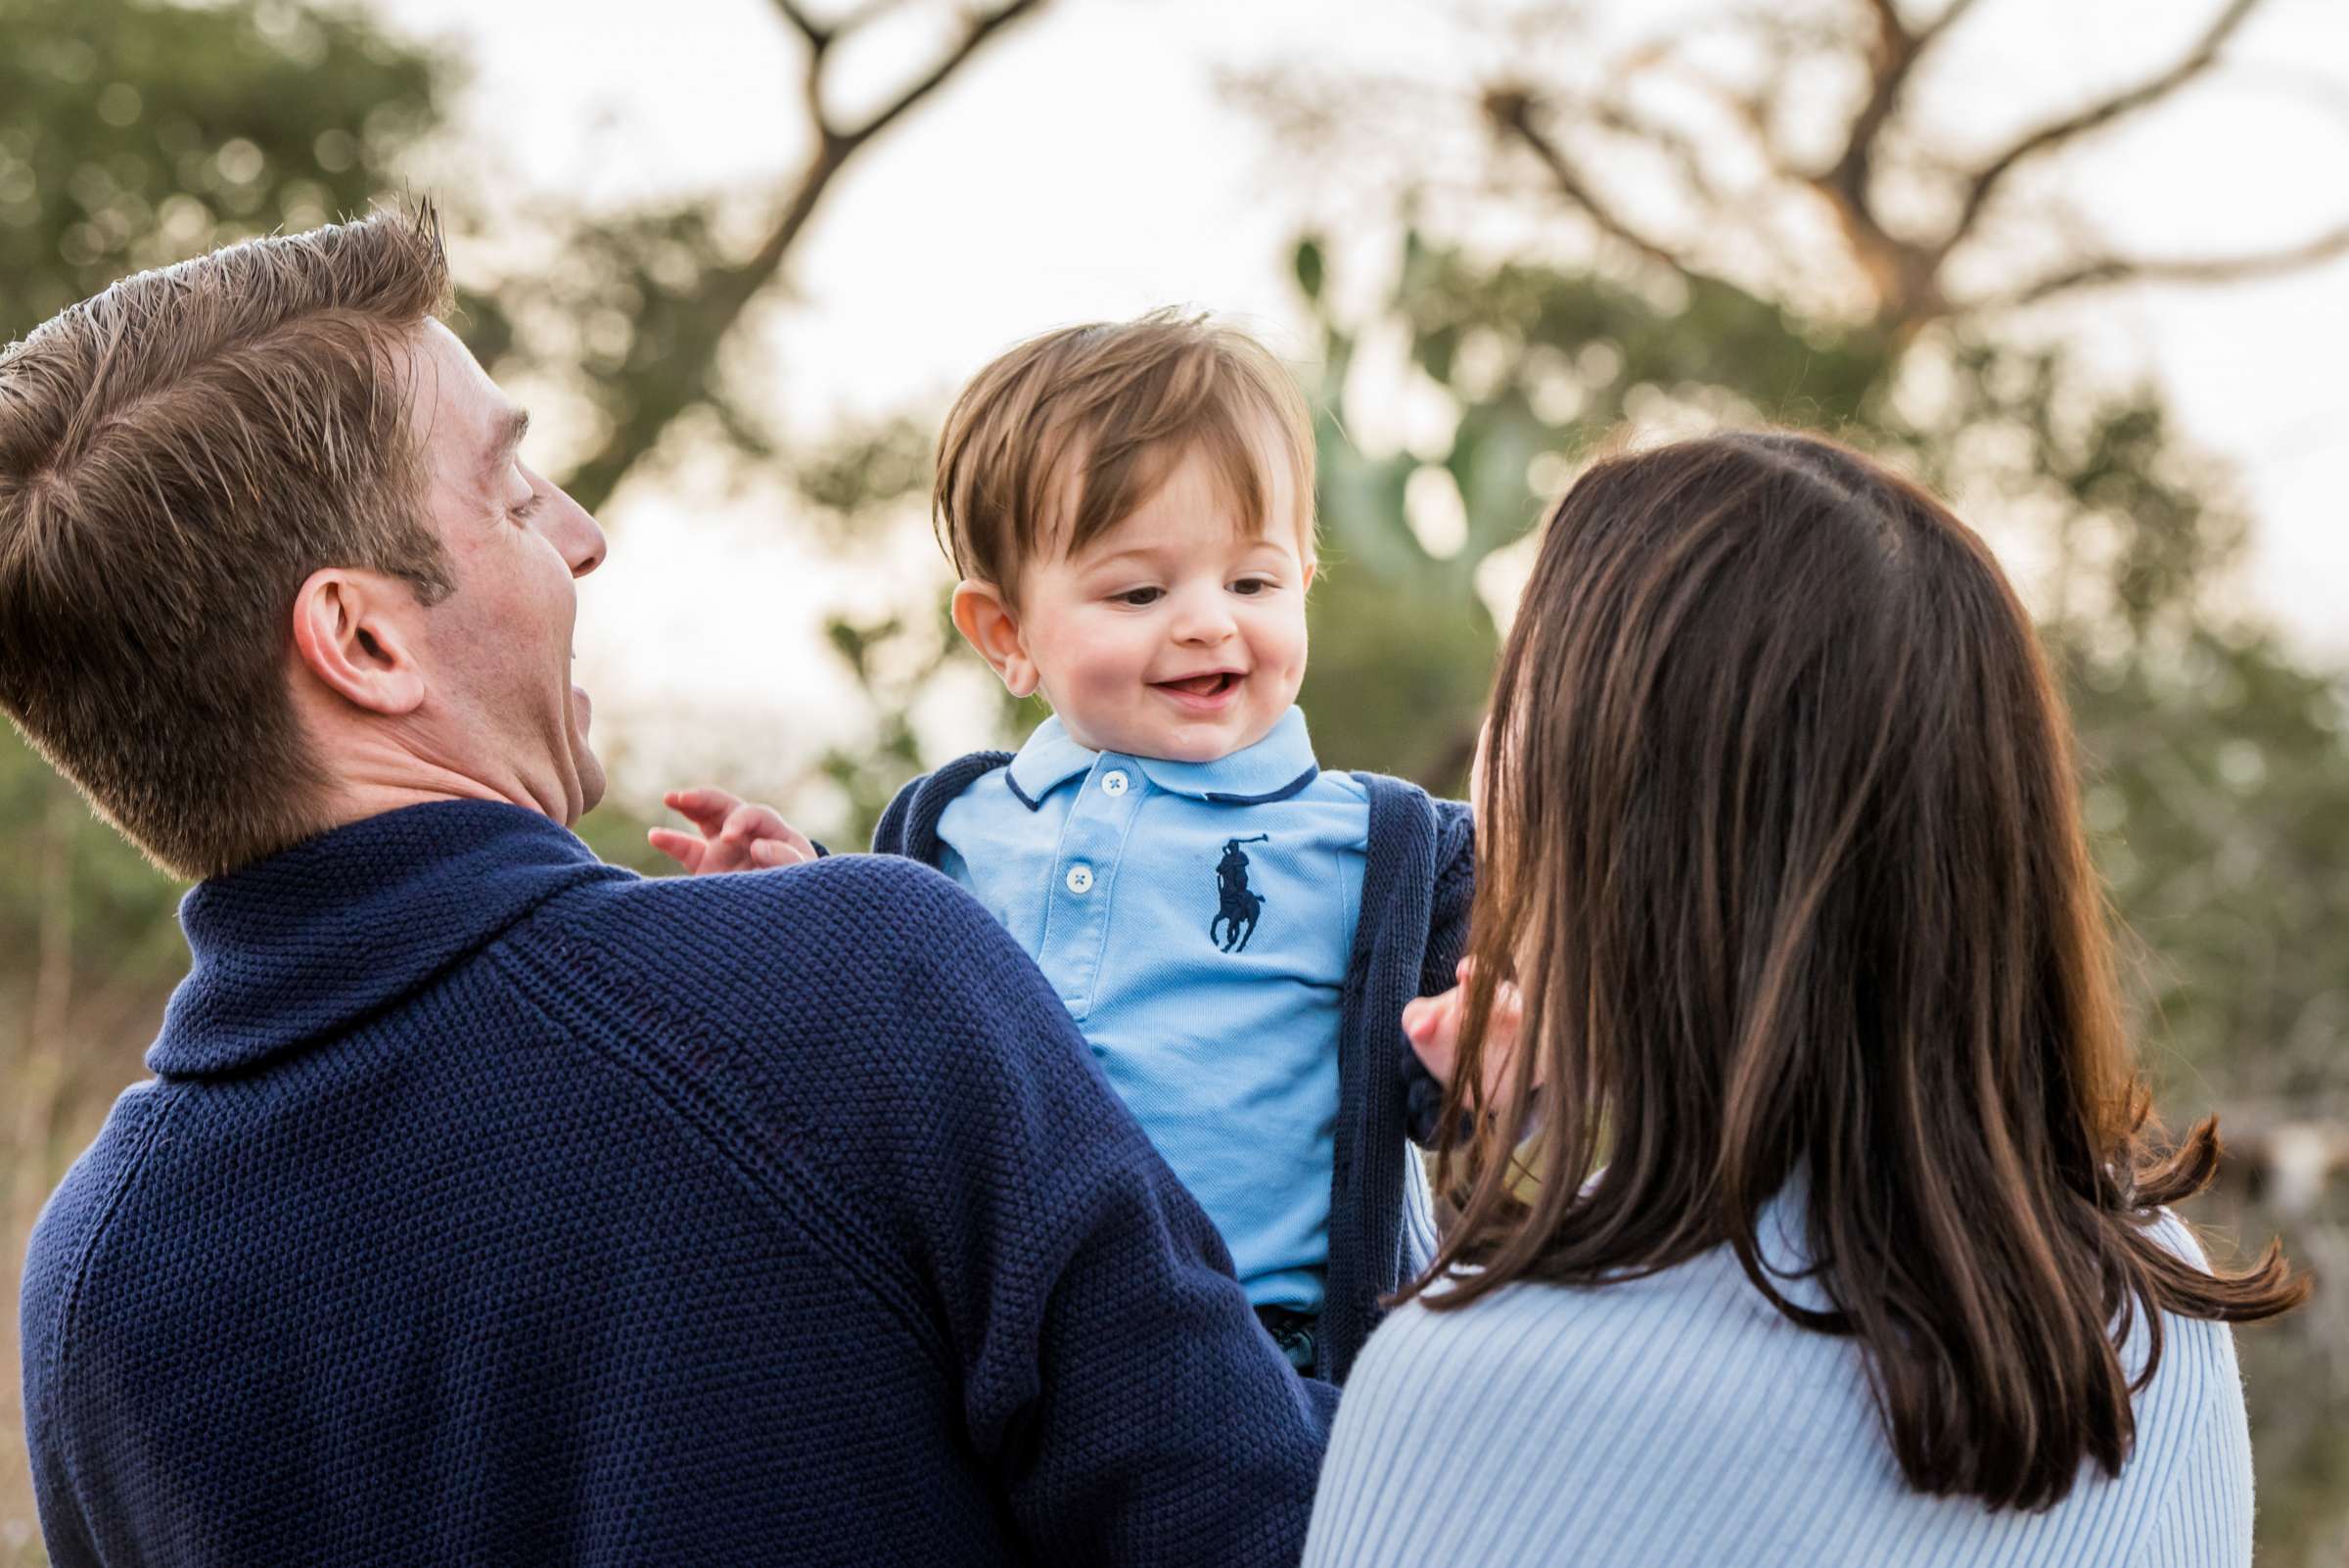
(177, 457)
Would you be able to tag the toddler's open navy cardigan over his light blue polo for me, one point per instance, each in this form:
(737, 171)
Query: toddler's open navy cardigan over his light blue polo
(1418, 888)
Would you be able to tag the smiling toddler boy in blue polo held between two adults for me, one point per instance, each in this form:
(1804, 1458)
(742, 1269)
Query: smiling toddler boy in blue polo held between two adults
(1234, 931)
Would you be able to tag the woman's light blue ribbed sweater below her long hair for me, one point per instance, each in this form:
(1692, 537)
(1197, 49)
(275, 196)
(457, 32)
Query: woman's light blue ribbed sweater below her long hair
(1683, 1419)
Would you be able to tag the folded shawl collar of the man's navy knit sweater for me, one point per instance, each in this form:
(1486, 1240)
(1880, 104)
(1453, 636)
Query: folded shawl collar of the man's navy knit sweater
(309, 942)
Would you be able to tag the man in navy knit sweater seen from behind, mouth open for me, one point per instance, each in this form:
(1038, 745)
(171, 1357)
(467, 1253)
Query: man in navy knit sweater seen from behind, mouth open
(490, 1203)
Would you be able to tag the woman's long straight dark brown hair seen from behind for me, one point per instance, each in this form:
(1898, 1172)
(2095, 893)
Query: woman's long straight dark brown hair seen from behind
(1782, 849)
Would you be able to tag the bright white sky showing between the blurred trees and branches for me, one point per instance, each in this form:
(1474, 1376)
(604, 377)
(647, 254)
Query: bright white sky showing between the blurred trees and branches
(1089, 168)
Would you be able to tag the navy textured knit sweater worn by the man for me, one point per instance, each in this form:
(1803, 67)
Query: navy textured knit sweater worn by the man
(492, 1205)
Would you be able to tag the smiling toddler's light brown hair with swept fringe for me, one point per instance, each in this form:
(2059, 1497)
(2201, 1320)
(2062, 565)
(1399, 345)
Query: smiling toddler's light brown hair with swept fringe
(1070, 433)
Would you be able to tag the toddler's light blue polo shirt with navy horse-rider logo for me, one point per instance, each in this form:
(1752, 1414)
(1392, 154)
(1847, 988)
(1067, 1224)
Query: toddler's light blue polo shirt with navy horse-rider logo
(1197, 921)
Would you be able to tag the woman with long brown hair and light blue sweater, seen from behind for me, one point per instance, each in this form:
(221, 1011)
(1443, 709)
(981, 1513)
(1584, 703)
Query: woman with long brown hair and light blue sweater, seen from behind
(1847, 1241)
